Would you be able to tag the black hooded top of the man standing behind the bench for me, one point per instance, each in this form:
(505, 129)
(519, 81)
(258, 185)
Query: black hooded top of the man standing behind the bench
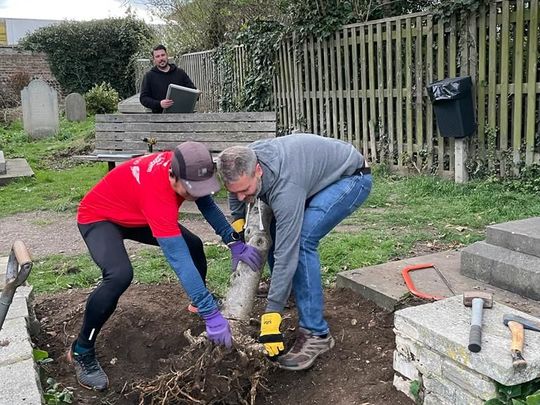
(155, 84)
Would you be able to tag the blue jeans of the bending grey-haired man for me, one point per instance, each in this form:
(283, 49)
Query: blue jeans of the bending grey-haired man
(324, 211)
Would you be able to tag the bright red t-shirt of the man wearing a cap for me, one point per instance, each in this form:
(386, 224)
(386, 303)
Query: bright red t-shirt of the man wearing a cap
(136, 193)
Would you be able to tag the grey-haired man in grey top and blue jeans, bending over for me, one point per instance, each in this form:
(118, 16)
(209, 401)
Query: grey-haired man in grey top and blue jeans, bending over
(311, 184)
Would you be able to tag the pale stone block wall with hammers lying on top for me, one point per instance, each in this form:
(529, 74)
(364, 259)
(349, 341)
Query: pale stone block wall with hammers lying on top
(431, 348)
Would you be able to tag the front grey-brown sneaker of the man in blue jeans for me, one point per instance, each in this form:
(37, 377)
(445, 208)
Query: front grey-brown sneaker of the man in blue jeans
(305, 350)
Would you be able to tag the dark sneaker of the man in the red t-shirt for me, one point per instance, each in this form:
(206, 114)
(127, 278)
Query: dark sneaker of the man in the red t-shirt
(87, 369)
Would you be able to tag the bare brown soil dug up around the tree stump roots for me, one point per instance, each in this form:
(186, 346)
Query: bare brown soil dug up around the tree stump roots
(144, 341)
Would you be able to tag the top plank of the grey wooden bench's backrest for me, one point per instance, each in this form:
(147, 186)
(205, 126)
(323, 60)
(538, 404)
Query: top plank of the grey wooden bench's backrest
(193, 117)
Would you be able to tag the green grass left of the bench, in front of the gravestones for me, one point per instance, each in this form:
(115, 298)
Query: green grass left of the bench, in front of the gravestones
(57, 186)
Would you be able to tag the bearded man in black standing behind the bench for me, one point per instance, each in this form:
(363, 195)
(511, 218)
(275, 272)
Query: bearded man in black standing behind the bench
(156, 81)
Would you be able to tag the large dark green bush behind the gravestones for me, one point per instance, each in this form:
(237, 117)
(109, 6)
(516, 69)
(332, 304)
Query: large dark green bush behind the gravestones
(83, 53)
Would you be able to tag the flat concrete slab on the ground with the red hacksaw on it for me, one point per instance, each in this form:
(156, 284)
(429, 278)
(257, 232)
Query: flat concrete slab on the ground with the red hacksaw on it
(384, 285)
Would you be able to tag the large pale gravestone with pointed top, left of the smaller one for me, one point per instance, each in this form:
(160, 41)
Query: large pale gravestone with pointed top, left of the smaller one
(40, 109)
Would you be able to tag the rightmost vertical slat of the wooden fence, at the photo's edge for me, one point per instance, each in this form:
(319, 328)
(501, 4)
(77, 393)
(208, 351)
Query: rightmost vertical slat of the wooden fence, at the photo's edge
(532, 72)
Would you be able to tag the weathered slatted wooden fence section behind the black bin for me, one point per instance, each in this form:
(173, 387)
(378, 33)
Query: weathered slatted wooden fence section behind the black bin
(367, 85)
